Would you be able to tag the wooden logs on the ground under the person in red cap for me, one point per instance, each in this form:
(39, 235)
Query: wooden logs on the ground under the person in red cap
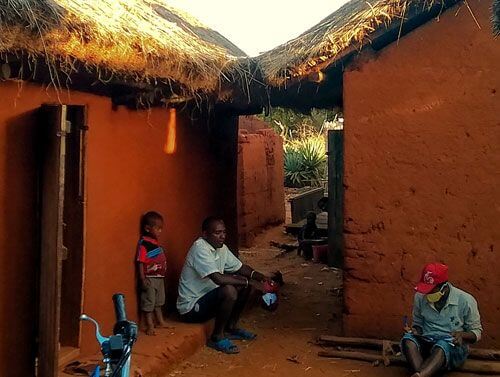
(377, 351)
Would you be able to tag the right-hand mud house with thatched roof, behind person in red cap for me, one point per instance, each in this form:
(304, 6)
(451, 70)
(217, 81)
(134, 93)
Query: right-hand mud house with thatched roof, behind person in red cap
(419, 85)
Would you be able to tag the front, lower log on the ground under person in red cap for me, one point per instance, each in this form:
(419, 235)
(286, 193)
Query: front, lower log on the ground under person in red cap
(470, 366)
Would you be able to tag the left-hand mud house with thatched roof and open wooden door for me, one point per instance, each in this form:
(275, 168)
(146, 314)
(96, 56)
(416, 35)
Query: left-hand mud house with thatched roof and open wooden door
(104, 115)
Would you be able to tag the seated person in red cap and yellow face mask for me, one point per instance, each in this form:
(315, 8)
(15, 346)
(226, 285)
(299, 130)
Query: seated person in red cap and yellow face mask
(445, 321)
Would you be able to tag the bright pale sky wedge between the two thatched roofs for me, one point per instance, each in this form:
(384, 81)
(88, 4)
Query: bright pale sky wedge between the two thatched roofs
(256, 26)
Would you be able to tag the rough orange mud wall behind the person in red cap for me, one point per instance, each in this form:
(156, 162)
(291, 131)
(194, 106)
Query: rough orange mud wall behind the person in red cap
(422, 163)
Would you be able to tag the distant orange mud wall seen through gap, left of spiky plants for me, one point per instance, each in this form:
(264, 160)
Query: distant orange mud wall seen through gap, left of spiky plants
(260, 186)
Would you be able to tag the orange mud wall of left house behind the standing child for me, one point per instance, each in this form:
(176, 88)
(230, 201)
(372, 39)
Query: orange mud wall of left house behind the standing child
(127, 174)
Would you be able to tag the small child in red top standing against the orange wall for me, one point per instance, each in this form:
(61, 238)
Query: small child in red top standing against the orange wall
(152, 265)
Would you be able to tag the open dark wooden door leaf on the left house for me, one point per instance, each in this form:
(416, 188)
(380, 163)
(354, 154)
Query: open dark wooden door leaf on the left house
(53, 137)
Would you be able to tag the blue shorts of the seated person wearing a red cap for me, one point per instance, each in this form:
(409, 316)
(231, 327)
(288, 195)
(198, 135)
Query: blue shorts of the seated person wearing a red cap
(455, 355)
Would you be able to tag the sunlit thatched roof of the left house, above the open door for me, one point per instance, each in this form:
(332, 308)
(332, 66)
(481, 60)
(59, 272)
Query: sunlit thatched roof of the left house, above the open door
(136, 40)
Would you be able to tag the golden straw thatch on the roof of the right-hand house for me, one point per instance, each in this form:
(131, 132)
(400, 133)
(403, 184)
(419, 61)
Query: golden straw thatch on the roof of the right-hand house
(352, 24)
